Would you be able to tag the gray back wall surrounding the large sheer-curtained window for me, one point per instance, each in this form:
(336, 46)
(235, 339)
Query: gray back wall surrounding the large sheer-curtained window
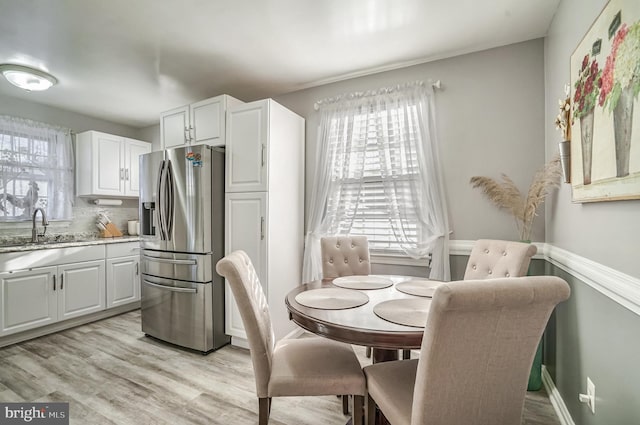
(490, 116)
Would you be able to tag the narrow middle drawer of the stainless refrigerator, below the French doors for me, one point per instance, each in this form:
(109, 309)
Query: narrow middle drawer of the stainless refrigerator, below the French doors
(173, 265)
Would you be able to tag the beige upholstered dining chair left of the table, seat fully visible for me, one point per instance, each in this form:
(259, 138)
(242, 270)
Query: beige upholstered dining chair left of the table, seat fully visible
(290, 367)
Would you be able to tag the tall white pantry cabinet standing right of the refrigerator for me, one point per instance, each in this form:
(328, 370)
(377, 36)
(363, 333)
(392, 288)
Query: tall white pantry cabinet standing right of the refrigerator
(265, 203)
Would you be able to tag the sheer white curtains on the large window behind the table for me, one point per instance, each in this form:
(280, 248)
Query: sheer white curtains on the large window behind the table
(385, 141)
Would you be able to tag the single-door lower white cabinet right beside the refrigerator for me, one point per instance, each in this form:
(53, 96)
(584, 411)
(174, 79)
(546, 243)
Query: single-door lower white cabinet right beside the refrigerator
(123, 274)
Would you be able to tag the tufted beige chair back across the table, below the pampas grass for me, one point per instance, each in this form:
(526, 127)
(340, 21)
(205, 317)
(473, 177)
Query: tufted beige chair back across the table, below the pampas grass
(492, 259)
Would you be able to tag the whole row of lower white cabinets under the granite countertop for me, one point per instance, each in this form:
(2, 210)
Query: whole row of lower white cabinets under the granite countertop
(42, 287)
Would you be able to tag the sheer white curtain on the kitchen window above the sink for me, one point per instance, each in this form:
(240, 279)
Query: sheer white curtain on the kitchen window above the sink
(36, 169)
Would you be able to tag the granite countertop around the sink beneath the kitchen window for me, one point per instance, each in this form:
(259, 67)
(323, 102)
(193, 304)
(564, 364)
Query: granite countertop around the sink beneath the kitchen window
(18, 244)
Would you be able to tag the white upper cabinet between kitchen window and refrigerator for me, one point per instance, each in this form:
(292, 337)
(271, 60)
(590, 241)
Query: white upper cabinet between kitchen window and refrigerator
(107, 165)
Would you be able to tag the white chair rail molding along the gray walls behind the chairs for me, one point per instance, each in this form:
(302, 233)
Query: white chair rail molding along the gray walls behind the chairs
(618, 286)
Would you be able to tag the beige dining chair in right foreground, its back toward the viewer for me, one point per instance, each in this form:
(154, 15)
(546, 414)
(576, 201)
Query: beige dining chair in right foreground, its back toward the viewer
(476, 354)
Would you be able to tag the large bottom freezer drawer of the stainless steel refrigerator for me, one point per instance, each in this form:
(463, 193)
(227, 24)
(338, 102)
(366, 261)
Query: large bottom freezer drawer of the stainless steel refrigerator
(183, 313)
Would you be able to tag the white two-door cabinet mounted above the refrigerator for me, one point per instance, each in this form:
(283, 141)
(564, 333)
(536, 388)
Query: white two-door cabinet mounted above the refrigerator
(199, 123)
